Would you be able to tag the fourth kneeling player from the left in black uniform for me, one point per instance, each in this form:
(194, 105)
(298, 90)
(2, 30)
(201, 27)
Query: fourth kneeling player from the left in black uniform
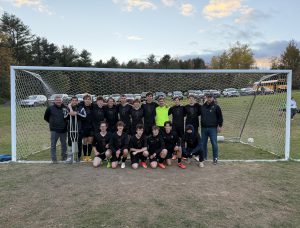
(156, 148)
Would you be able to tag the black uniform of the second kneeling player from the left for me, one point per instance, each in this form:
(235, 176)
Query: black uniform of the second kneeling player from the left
(118, 142)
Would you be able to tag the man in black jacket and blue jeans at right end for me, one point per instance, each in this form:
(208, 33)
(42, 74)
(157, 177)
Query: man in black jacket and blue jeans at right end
(211, 124)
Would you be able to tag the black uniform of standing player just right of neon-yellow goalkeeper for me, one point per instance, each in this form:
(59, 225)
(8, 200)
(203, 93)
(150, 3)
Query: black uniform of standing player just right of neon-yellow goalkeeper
(178, 113)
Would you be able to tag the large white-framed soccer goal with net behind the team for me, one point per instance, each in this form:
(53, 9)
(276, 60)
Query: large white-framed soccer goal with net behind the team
(255, 104)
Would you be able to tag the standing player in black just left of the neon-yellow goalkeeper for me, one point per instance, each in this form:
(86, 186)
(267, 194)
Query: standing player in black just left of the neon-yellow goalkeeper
(149, 113)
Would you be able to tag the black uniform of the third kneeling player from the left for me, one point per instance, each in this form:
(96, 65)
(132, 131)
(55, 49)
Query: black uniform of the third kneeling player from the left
(136, 143)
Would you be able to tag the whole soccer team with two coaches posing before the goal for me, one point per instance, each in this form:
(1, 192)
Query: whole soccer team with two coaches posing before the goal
(142, 131)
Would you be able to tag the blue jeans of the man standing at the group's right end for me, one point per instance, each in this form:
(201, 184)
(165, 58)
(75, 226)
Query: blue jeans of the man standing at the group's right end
(212, 133)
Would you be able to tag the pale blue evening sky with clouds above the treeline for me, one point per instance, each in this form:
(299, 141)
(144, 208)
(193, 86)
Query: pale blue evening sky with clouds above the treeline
(134, 29)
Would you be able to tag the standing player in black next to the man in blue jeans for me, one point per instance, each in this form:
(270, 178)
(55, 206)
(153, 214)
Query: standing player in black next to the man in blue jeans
(192, 111)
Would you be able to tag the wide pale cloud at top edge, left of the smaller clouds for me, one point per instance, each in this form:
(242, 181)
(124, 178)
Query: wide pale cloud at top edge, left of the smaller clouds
(129, 5)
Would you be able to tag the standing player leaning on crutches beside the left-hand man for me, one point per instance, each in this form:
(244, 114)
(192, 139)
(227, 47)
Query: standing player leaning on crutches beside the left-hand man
(75, 112)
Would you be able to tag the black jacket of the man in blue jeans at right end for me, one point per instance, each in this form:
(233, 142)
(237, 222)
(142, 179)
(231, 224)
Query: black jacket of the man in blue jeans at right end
(211, 115)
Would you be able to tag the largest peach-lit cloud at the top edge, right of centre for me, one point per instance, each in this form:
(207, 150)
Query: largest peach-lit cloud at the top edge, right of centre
(221, 8)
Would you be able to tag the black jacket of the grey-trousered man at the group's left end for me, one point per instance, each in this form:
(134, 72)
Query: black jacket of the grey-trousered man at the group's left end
(56, 117)
